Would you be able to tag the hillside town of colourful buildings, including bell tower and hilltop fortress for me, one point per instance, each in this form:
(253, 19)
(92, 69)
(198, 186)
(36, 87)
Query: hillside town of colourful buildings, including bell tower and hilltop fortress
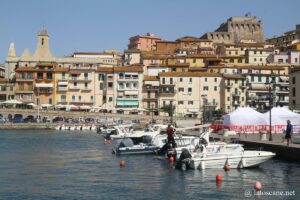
(233, 66)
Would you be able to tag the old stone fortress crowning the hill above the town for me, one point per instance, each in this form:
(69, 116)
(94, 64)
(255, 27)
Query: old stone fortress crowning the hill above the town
(236, 30)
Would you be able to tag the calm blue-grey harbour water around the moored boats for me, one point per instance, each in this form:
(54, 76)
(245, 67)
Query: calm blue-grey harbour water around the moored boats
(48, 164)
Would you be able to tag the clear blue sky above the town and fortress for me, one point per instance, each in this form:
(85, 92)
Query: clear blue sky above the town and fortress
(95, 25)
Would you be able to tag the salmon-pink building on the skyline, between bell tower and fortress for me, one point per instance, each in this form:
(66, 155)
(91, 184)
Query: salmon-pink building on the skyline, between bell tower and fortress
(143, 42)
